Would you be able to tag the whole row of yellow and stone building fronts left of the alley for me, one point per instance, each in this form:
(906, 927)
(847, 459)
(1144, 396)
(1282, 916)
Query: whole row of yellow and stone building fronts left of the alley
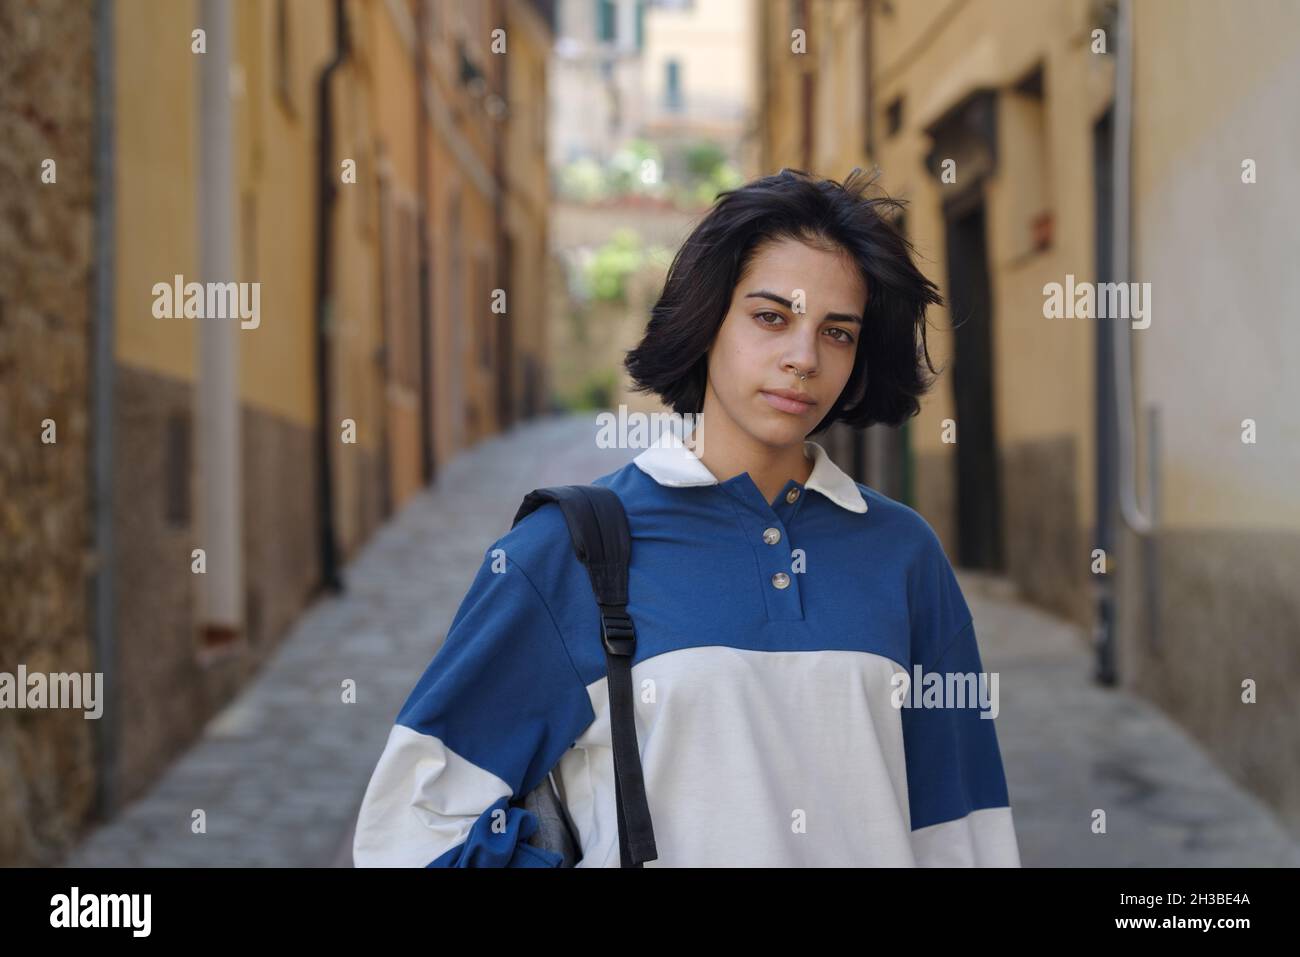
(370, 177)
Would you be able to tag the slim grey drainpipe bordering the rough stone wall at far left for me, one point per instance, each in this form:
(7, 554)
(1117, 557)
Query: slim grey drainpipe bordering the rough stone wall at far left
(102, 406)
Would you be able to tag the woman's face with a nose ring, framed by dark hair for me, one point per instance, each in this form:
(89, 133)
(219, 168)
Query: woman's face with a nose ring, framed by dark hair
(795, 308)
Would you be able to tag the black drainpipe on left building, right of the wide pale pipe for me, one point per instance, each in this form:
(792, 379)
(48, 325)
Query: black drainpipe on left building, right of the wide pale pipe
(327, 198)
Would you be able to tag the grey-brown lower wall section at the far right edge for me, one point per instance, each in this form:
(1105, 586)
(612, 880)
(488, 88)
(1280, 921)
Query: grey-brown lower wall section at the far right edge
(1227, 610)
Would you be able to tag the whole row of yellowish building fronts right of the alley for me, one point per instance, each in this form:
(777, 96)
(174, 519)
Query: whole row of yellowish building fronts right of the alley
(1130, 497)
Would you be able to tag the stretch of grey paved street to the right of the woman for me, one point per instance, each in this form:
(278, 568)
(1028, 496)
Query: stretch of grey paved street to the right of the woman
(1071, 746)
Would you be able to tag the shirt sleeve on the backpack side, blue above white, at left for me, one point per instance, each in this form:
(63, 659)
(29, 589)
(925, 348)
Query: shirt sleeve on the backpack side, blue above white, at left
(496, 709)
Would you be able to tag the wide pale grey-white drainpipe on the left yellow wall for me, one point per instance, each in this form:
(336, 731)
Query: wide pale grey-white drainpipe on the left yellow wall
(218, 401)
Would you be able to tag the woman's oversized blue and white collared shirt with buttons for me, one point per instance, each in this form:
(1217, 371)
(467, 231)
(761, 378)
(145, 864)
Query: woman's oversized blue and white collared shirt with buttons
(766, 679)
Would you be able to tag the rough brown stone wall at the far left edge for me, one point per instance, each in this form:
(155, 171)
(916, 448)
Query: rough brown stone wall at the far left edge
(47, 782)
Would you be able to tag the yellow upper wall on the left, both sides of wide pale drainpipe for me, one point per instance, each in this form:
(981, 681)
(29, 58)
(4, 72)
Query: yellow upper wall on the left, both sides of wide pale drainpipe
(157, 176)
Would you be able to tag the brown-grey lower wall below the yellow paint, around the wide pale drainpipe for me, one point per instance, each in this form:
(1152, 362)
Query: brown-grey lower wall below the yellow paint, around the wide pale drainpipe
(171, 683)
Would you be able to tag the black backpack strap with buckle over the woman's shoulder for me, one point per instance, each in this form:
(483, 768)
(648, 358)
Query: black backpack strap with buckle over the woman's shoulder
(599, 529)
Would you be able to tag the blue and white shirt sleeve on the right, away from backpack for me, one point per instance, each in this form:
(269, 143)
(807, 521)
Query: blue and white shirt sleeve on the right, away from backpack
(961, 815)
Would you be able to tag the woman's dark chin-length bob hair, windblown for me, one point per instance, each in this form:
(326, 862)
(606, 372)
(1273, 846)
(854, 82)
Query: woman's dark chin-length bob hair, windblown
(889, 374)
